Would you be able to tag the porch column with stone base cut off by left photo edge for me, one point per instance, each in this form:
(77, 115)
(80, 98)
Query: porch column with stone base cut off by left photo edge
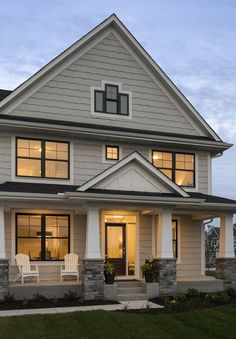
(3, 260)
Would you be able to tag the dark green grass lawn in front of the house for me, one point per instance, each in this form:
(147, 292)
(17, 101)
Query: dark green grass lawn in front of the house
(209, 323)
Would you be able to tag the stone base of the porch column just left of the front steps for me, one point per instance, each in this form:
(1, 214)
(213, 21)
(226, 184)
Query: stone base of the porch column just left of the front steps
(93, 279)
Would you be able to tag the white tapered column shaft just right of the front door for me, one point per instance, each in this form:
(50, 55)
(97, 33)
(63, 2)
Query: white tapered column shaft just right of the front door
(164, 235)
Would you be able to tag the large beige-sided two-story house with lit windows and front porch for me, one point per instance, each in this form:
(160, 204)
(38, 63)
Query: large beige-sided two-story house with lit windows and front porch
(103, 156)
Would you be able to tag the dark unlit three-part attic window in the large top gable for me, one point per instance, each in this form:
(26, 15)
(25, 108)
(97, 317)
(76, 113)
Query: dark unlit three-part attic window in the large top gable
(111, 101)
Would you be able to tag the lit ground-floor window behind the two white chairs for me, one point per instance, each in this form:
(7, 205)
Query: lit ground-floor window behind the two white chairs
(43, 237)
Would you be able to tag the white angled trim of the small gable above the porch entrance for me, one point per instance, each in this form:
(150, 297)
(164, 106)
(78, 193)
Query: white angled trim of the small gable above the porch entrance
(142, 161)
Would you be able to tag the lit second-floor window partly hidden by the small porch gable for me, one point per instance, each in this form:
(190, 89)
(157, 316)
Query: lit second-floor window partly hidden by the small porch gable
(179, 167)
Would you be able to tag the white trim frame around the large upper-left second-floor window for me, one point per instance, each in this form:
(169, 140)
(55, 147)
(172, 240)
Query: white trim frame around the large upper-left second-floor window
(41, 180)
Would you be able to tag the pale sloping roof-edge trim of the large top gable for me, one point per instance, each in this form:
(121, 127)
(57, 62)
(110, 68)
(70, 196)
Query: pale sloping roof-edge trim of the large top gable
(119, 26)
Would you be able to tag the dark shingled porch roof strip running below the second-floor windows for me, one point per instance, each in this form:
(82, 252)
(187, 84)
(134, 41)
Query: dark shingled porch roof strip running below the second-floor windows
(37, 188)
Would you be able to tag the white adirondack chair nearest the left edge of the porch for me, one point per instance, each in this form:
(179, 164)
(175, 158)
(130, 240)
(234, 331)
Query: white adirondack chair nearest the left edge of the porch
(23, 263)
